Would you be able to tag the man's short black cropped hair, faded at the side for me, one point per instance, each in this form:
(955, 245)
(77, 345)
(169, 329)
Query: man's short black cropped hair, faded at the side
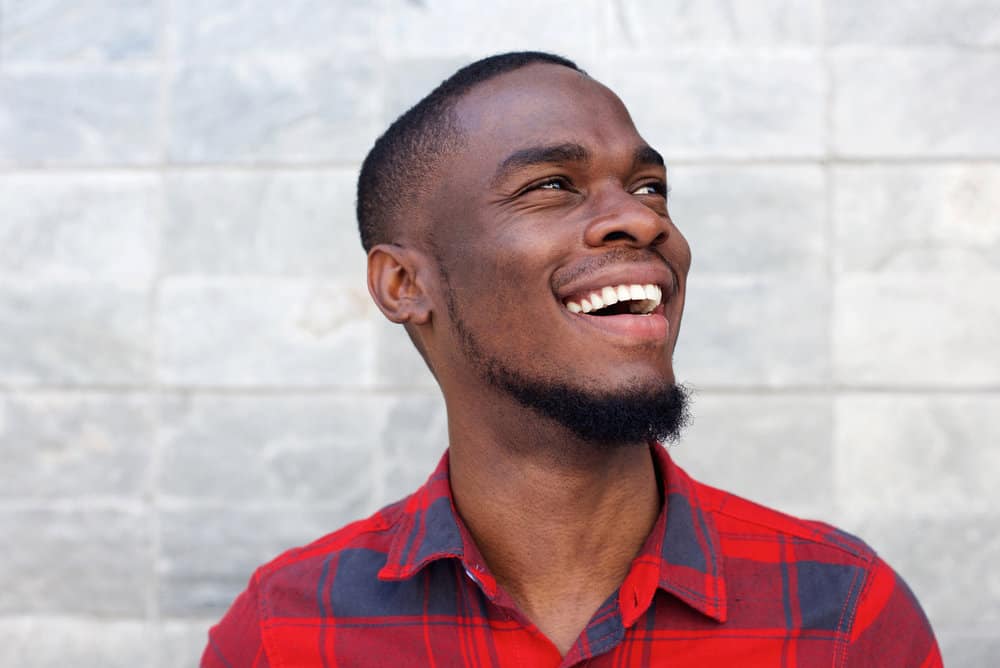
(394, 170)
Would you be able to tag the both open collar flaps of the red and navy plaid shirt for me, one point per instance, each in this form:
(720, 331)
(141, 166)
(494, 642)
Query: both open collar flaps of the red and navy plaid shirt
(681, 556)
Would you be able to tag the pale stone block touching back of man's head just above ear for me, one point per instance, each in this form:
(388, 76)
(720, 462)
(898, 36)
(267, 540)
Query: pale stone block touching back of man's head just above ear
(284, 223)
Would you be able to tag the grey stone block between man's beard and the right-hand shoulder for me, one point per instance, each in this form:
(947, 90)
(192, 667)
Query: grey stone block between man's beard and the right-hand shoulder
(773, 449)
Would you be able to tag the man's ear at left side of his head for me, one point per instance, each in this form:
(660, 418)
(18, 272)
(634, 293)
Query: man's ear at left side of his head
(396, 283)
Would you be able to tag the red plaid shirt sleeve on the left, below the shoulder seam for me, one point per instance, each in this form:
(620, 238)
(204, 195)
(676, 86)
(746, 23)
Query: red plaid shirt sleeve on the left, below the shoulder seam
(236, 642)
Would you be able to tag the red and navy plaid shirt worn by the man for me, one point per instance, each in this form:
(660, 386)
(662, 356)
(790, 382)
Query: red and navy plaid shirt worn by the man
(719, 582)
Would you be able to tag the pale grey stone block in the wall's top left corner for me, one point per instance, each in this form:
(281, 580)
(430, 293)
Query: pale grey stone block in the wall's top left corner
(88, 30)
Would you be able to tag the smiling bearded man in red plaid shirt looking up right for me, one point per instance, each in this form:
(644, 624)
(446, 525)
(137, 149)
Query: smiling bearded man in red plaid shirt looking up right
(516, 225)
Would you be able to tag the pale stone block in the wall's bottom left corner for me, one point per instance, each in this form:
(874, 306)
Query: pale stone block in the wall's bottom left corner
(48, 642)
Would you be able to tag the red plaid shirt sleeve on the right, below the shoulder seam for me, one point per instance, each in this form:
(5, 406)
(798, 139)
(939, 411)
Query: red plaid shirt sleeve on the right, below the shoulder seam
(890, 628)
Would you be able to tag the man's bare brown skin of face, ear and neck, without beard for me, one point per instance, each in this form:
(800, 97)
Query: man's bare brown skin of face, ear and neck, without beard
(556, 519)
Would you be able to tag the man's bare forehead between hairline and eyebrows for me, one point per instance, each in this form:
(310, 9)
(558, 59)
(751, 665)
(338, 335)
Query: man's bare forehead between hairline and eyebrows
(543, 104)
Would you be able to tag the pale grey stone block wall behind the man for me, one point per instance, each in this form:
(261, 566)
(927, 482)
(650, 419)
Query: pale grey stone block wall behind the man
(192, 378)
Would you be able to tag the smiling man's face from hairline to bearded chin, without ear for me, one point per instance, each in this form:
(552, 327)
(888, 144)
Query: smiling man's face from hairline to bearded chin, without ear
(562, 273)
